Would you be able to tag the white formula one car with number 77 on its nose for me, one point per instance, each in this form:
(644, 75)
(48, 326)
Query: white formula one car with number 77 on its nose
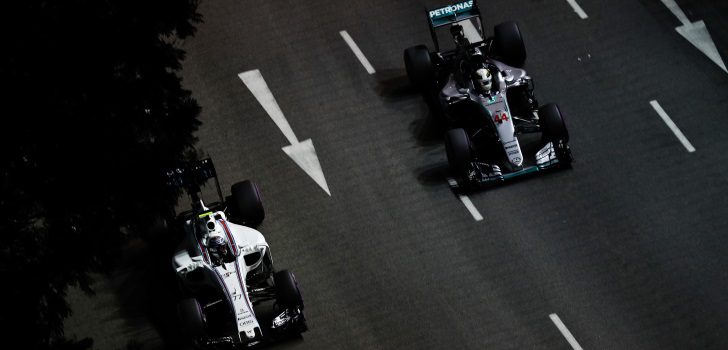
(225, 269)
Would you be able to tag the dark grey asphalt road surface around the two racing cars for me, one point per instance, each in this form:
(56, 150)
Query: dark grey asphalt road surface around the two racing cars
(629, 248)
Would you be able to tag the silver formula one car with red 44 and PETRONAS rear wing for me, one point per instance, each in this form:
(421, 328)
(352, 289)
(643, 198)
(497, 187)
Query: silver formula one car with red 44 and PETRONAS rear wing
(478, 85)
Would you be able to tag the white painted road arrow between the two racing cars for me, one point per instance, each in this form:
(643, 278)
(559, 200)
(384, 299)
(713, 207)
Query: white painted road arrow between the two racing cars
(302, 153)
